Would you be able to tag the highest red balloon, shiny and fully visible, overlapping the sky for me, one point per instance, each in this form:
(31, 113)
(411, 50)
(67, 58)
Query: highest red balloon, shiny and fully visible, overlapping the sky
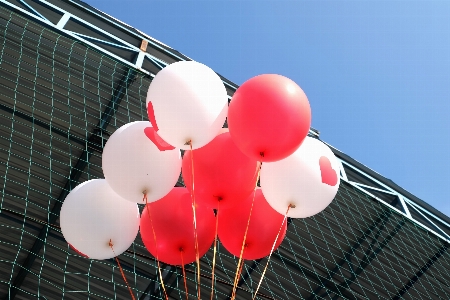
(269, 117)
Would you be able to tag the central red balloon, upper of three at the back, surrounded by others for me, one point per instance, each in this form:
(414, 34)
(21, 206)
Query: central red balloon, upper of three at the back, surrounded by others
(222, 173)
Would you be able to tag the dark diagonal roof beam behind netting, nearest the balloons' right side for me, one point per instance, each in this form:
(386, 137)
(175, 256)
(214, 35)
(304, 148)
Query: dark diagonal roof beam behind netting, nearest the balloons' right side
(328, 282)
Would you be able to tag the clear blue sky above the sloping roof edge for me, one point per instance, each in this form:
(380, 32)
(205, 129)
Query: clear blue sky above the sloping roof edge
(377, 73)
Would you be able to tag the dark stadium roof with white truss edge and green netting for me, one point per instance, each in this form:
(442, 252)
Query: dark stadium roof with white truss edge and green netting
(69, 76)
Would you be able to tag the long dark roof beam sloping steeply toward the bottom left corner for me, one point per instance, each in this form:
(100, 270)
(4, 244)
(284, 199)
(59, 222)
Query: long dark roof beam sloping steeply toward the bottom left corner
(72, 181)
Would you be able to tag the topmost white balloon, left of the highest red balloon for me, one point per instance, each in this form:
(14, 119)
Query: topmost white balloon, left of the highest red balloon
(190, 103)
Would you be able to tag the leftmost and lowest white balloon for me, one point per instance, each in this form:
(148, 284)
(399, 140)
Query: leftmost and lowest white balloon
(92, 215)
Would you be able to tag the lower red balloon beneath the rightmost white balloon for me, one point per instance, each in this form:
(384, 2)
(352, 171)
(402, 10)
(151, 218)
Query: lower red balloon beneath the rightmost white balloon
(265, 223)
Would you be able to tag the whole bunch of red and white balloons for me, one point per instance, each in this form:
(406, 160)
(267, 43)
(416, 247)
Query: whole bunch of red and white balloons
(268, 121)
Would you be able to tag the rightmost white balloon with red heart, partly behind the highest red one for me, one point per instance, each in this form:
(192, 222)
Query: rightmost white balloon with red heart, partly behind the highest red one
(308, 179)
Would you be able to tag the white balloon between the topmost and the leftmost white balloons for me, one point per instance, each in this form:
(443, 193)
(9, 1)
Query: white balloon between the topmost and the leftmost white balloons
(132, 164)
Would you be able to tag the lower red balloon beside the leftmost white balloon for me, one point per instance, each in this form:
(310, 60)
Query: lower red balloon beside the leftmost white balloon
(172, 219)
